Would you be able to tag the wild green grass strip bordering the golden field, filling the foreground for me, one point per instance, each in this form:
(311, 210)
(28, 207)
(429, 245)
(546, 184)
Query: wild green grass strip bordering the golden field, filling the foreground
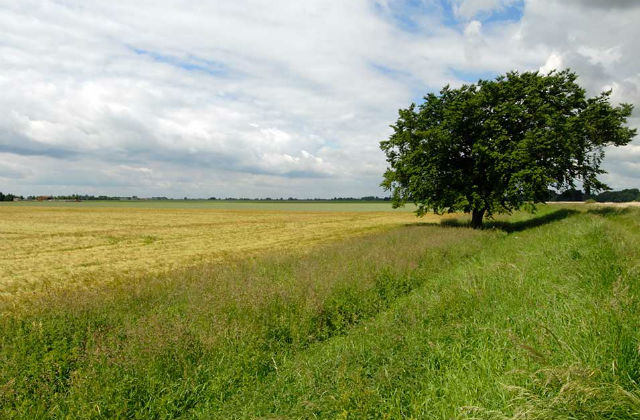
(536, 318)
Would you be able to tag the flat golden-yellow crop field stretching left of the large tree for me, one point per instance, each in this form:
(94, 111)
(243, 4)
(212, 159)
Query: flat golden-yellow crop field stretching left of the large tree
(48, 246)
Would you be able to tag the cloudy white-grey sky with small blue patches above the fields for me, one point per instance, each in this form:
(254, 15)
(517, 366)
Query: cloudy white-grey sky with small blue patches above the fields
(270, 98)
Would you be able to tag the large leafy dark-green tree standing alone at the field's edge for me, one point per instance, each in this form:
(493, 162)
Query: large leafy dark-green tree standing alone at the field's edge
(496, 145)
